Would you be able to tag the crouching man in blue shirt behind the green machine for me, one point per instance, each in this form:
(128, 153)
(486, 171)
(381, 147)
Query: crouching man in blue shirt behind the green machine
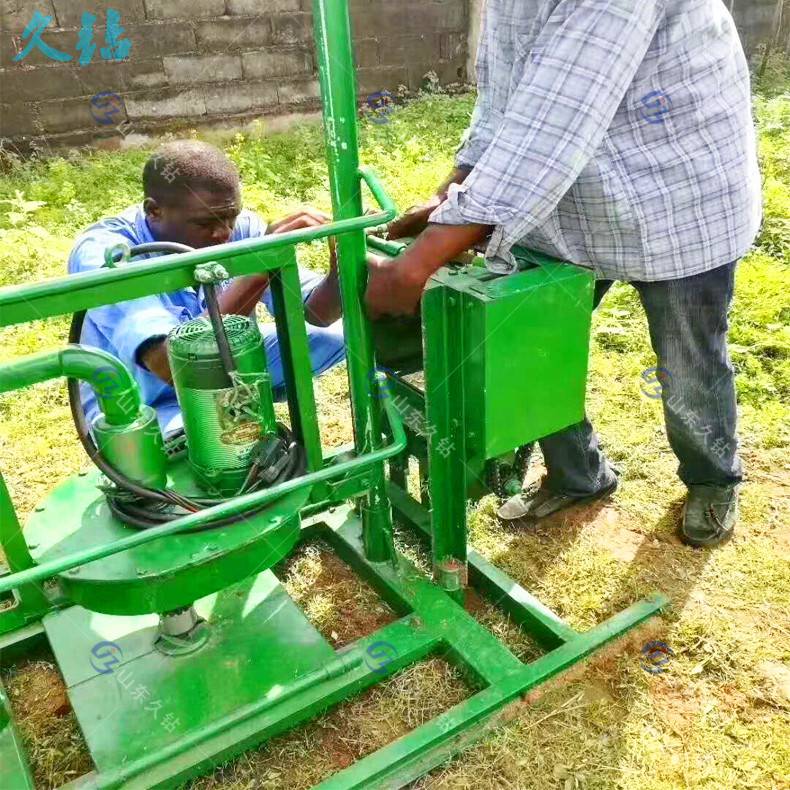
(192, 196)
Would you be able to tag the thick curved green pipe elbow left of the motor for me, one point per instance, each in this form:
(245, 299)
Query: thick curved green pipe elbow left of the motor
(116, 391)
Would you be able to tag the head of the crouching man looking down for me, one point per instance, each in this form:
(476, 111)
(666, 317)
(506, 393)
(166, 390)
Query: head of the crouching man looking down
(192, 194)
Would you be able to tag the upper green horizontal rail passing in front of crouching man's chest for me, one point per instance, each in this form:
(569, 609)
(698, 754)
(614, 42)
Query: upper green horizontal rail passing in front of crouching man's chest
(74, 292)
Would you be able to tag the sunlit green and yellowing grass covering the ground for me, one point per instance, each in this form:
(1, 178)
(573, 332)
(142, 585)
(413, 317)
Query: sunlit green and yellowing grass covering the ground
(718, 718)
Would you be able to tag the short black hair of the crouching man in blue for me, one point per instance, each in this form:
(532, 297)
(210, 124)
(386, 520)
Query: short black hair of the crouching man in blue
(185, 165)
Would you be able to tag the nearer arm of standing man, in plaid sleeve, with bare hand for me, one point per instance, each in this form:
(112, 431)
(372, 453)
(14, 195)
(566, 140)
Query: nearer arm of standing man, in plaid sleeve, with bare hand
(555, 120)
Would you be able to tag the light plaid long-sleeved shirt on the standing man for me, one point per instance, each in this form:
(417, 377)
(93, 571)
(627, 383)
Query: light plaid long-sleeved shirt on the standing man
(615, 134)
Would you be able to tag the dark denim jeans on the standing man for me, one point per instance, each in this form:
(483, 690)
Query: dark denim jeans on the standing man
(688, 331)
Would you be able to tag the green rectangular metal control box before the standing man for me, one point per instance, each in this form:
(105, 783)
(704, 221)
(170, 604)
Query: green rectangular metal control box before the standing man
(506, 356)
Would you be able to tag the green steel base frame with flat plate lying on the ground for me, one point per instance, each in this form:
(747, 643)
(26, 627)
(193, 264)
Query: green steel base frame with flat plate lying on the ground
(286, 673)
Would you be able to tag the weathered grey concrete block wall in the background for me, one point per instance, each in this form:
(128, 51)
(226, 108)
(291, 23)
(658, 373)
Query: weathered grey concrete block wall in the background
(198, 61)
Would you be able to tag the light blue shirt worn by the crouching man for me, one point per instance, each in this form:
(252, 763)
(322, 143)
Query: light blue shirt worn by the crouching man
(121, 328)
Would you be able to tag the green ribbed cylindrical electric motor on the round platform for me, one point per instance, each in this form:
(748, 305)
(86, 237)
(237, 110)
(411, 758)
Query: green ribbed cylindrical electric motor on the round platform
(225, 416)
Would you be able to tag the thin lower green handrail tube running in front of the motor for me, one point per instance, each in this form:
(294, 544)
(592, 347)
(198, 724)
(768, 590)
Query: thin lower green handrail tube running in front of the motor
(232, 507)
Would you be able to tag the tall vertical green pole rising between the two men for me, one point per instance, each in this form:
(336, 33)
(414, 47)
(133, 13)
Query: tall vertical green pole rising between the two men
(334, 48)
